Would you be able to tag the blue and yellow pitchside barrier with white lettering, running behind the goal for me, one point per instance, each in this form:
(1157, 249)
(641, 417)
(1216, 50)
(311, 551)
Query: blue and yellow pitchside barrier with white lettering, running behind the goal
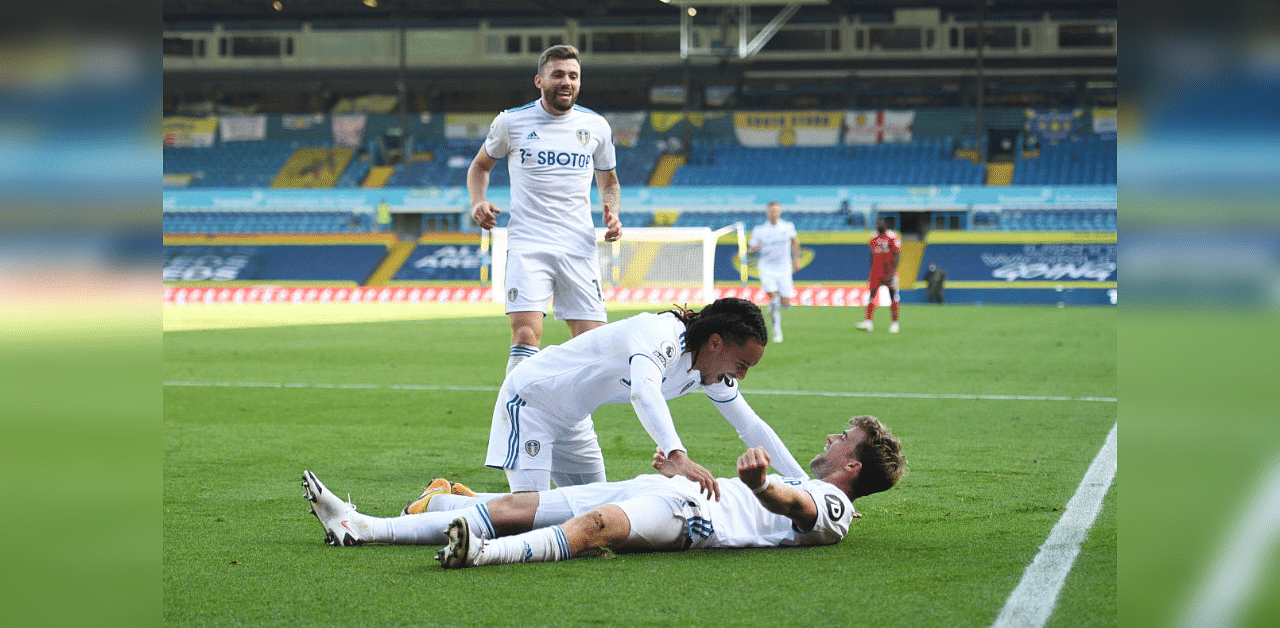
(1044, 268)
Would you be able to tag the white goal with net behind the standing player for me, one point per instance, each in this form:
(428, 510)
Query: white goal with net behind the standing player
(647, 260)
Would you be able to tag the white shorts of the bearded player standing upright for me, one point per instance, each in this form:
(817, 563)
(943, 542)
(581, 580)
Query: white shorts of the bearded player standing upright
(533, 278)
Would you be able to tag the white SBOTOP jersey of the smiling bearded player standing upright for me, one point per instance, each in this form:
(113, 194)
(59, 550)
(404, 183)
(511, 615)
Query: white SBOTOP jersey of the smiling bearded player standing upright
(552, 161)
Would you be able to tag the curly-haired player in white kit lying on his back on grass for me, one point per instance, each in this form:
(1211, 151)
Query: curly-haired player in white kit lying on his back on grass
(648, 514)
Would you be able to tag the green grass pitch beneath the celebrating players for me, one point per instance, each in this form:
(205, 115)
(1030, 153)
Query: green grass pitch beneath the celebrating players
(377, 409)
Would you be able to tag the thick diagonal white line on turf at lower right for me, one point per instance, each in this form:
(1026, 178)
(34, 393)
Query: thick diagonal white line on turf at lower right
(1032, 603)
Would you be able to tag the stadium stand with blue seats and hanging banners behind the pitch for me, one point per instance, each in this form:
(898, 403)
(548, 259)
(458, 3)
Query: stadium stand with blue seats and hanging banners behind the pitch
(1027, 159)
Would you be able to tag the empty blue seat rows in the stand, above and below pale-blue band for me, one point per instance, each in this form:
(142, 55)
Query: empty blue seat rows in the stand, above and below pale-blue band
(712, 161)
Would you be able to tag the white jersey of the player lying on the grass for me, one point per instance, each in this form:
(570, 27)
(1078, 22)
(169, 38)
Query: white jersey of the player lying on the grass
(740, 521)
